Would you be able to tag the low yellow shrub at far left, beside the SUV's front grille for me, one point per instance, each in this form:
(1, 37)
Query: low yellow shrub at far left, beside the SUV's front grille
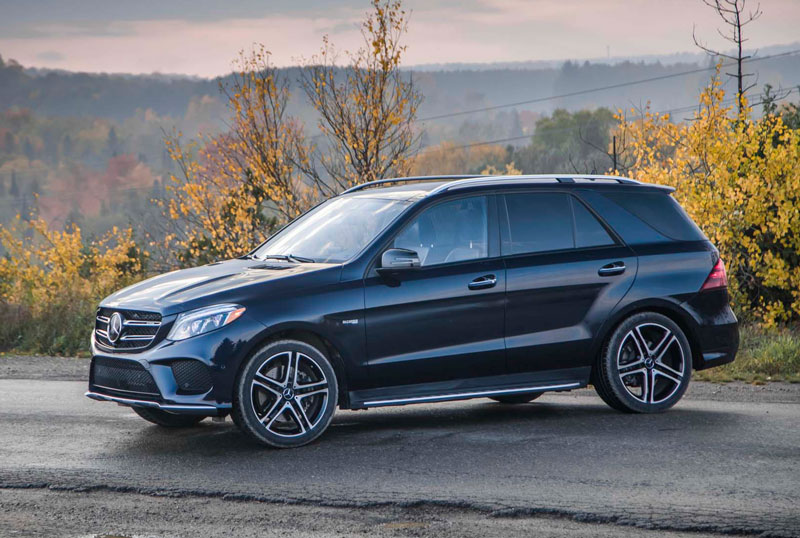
(51, 282)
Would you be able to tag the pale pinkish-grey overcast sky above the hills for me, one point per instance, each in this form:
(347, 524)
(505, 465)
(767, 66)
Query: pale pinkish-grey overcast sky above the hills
(201, 37)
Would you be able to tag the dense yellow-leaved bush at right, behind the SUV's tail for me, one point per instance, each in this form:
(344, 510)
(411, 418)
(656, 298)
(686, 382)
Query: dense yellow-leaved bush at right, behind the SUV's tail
(739, 179)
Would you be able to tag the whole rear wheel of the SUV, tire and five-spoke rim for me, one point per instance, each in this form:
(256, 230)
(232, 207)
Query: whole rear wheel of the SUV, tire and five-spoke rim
(645, 366)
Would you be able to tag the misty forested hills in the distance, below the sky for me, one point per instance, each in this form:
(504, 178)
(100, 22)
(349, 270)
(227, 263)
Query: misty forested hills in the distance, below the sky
(88, 148)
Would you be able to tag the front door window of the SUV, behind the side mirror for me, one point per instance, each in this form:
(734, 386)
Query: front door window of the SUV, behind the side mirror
(448, 232)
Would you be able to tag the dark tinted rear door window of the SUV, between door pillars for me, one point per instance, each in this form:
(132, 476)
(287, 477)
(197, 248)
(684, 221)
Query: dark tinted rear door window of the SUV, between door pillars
(540, 222)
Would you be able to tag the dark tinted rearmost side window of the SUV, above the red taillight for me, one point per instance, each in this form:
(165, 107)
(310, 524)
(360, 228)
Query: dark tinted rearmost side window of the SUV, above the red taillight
(661, 212)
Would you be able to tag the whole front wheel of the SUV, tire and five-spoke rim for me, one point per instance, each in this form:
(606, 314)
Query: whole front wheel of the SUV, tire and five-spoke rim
(285, 394)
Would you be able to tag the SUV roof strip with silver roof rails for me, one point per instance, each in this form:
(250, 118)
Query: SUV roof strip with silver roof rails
(418, 186)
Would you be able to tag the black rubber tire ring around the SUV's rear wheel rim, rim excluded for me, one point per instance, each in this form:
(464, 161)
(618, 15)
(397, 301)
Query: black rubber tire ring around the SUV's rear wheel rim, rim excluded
(610, 363)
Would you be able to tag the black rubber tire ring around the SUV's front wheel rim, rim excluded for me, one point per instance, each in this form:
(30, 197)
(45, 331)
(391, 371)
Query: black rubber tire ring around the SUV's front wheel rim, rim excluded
(247, 419)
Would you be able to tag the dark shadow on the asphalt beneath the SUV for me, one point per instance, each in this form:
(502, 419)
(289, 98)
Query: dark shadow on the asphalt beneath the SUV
(475, 421)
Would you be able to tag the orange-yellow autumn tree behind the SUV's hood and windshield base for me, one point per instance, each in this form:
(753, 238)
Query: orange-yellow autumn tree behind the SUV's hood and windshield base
(232, 189)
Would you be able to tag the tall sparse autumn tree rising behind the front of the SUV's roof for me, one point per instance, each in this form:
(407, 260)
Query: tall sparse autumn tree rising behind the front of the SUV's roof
(367, 107)
